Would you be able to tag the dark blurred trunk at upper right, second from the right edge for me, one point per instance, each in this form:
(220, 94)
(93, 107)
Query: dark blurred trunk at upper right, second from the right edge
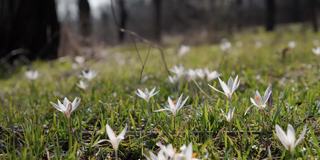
(270, 14)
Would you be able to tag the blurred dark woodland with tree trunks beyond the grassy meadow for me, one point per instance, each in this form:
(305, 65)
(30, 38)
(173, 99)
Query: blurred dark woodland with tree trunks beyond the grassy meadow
(51, 28)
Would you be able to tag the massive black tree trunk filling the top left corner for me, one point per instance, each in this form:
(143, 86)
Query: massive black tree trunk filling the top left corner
(29, 28)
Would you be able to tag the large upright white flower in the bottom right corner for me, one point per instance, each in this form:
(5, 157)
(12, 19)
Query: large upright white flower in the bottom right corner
(289, 139)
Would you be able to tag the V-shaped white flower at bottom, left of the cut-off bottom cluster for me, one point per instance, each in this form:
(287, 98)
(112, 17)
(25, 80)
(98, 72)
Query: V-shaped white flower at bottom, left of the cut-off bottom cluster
(113, 139)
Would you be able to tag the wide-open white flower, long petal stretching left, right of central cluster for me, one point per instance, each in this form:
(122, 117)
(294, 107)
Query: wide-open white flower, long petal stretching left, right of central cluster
(229, 89)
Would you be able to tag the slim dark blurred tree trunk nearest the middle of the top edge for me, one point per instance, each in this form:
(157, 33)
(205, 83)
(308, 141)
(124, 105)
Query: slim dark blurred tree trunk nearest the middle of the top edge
(158, 18)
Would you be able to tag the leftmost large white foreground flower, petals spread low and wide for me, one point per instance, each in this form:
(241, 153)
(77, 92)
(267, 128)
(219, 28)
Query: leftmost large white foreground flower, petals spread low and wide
(67, 107)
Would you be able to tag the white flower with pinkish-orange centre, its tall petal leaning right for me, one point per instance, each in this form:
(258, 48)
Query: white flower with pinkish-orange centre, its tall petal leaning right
(261, 102)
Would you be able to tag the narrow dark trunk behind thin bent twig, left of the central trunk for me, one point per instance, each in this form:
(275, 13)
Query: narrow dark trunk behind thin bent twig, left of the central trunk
(123, 19)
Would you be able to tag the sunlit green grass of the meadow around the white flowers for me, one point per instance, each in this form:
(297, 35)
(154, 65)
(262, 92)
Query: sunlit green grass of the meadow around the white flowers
(31, 128)
